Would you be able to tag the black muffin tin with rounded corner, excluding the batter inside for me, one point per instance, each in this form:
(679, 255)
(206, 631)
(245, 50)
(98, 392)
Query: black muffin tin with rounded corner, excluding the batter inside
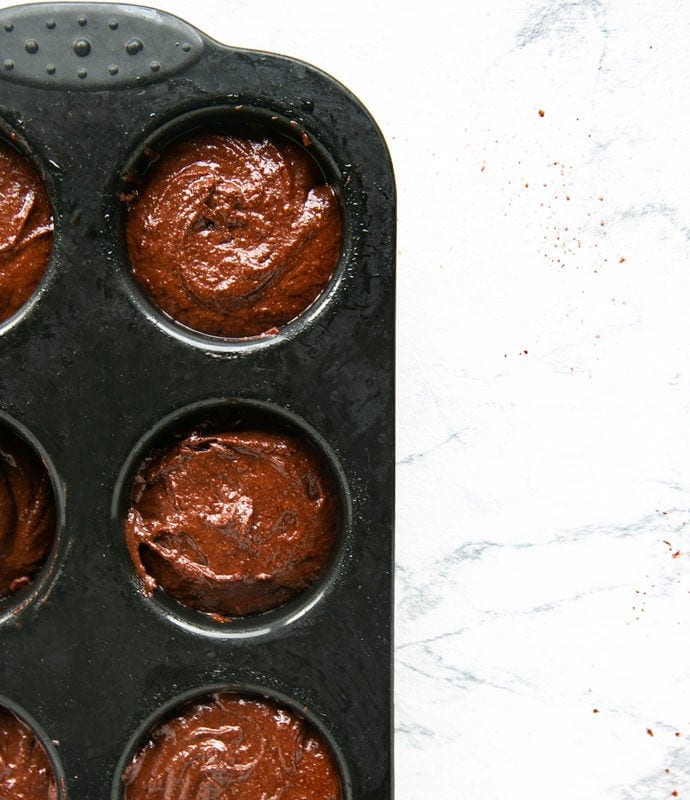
(91, 373)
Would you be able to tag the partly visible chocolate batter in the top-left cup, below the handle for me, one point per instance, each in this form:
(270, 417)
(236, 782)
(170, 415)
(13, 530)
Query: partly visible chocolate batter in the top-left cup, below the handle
(26, 230)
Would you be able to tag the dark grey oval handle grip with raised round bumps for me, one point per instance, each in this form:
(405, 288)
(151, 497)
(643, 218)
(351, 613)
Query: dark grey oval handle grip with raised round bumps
(91, 46)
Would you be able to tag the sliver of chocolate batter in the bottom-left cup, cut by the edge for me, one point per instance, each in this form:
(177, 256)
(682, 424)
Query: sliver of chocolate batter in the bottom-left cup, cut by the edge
(25, 769)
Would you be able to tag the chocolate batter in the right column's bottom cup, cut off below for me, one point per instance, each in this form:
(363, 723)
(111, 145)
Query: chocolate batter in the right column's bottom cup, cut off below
(230, 747)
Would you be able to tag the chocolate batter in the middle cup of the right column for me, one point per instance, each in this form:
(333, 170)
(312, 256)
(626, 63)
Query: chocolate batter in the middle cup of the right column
(232, 523)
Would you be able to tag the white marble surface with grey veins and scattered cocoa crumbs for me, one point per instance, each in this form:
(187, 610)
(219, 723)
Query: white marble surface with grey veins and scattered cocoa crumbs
(543, 558)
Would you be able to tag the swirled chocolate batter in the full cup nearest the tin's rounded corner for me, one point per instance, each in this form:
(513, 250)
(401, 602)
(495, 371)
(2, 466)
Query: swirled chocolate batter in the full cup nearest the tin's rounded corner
(234, 236)
